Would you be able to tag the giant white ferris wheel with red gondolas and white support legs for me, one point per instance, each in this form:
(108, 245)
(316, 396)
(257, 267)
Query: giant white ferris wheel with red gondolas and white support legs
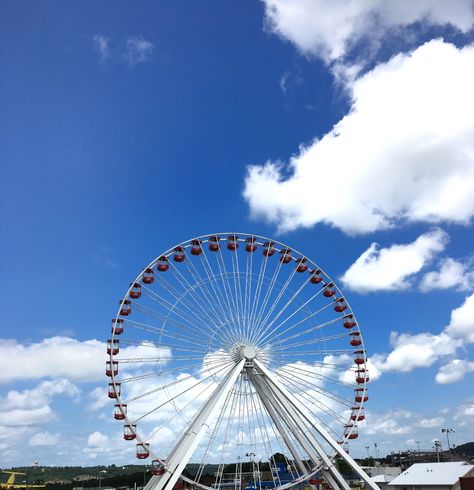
(236, 362)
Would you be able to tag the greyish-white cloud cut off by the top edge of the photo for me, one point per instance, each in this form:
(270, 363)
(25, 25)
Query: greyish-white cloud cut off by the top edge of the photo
(330, 28)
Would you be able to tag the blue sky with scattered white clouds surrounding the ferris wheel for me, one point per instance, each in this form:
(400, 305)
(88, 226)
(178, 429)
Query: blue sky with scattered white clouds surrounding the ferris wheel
(127, 129)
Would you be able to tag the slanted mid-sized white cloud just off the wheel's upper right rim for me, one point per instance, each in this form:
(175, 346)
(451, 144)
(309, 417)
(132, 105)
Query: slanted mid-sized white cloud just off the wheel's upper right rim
(390, 268)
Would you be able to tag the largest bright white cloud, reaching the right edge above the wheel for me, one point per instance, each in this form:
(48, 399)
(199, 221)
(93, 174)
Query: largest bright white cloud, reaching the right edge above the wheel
(404, 153)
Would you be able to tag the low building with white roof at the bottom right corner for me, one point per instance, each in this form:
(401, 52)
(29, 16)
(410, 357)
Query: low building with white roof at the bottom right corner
(432, 476)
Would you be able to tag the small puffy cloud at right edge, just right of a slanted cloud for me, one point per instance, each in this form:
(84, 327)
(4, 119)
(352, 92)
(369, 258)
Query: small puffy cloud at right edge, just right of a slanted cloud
(451, 274)
